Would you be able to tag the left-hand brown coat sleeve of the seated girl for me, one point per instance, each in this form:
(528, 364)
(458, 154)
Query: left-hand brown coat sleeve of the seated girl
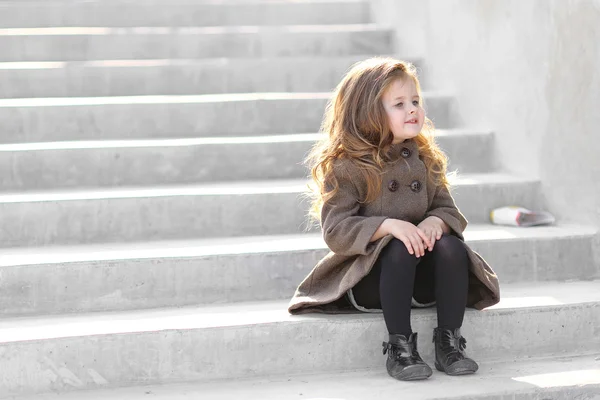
(344, 230)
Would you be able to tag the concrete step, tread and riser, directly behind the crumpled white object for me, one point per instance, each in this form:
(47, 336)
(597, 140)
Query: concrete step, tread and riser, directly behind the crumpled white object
(202, 211)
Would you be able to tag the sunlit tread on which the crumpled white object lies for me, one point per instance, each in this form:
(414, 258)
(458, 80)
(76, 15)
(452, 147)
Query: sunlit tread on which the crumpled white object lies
(248, 244)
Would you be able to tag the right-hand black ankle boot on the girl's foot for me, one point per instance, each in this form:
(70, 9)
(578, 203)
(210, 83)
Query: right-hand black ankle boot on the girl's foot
(450, 356)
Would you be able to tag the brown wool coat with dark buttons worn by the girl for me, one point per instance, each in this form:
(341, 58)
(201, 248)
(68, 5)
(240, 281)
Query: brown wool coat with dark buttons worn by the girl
(348, 226)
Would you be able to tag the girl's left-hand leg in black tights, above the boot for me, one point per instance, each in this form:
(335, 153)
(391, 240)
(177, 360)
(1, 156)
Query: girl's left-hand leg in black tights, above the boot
(389, 286)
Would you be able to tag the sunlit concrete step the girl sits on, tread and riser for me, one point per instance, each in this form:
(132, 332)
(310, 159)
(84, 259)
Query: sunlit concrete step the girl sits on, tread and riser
(198, 344)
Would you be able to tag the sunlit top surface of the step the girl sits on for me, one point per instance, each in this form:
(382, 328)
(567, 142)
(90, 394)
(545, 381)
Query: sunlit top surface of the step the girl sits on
(259, 313)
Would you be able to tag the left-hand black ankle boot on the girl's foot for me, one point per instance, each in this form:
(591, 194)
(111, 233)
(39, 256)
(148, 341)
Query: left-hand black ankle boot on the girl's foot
(404, 362)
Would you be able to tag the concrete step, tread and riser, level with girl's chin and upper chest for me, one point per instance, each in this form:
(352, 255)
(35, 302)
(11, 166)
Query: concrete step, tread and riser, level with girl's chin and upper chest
(52, 165)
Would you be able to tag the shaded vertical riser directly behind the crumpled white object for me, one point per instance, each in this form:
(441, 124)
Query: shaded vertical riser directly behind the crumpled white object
(199, 216)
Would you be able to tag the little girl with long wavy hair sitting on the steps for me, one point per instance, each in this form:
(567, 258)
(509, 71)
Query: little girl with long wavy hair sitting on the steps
(394, 231)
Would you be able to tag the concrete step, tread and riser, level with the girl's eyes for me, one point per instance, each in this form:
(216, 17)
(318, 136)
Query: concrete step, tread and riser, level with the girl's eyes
(145, 117)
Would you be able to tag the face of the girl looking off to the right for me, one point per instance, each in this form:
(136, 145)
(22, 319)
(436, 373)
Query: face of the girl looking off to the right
(403, 108)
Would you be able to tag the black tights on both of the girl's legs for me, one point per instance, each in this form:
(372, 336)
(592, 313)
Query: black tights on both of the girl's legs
(389, 286)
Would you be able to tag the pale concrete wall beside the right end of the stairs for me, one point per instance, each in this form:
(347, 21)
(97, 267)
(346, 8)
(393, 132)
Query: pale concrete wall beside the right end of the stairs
(527, 69)
